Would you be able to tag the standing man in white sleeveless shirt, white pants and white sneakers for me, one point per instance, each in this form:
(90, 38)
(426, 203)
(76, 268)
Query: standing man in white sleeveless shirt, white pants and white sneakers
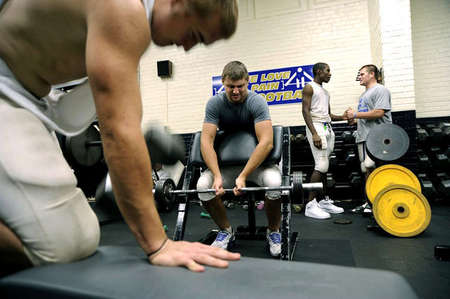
(317, 114)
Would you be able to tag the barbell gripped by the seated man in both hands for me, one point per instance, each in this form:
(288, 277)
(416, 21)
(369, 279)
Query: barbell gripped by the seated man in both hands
(165, 193)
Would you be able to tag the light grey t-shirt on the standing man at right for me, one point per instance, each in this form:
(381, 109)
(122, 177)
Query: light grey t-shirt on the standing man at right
(376, 97)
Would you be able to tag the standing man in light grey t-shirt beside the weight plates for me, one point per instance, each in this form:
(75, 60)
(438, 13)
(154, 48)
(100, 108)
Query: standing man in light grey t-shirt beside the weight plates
(374, 108)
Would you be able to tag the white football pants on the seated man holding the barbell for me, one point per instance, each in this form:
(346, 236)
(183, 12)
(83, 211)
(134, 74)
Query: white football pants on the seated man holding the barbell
(265, 176)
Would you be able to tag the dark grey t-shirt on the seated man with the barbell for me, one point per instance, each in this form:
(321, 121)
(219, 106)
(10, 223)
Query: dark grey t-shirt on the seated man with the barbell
(229, 116)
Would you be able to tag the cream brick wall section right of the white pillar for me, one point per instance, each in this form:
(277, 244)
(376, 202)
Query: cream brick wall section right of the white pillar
(431, 49)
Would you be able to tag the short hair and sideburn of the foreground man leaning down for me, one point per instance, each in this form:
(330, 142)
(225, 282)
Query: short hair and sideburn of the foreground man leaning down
(228, 10)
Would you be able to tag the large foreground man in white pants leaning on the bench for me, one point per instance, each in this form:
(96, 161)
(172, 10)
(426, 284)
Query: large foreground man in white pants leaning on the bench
(44, 217)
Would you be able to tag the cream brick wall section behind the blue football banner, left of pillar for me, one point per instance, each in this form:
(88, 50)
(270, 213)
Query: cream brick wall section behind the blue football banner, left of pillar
(271, 34)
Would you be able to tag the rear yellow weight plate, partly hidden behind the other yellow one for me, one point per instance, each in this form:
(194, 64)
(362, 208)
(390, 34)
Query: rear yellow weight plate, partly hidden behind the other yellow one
(390, 174)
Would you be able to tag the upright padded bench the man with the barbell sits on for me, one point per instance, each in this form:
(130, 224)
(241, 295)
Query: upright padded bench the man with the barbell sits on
(235, 148)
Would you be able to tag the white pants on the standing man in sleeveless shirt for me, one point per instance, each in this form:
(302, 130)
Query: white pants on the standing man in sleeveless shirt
(321, 156)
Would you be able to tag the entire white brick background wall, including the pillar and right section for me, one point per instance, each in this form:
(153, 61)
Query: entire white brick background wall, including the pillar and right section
(346, 34)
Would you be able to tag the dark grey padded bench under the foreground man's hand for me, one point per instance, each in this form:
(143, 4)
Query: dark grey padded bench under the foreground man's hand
(123, 272)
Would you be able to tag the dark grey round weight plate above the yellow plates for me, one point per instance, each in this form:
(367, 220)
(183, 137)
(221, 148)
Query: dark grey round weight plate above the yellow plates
(387, 142)
